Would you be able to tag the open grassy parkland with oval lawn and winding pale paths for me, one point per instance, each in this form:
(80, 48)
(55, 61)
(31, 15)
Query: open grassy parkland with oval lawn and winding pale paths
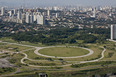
(57, 57)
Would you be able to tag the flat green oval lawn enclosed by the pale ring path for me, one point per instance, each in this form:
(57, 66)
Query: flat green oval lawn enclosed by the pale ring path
(64, 51)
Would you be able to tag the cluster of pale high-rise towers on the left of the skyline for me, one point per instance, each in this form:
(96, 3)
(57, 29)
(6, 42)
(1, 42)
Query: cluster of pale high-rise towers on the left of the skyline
(23, 16)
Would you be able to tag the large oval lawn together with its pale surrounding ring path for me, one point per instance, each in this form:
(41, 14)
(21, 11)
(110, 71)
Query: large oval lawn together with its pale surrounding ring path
(63, 52)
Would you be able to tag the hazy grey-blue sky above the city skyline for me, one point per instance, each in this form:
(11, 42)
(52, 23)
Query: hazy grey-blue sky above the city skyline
(35, 3)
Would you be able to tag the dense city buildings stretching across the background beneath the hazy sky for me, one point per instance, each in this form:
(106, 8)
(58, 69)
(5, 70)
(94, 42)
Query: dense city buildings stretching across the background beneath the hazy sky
(47, 18)
